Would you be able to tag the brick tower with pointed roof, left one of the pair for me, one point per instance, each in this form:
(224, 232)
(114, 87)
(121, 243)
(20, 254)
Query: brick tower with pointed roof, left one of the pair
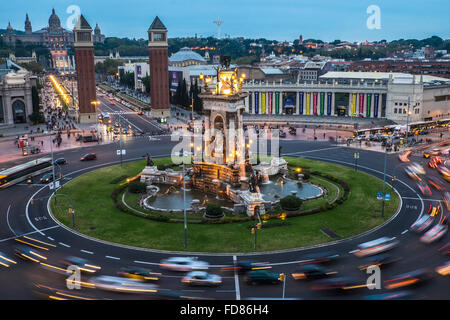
(84, 58)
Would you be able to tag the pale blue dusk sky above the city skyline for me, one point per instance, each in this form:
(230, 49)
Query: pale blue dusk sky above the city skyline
(271, 19)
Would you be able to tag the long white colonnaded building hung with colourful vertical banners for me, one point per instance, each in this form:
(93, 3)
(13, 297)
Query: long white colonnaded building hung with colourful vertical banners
(397, 97)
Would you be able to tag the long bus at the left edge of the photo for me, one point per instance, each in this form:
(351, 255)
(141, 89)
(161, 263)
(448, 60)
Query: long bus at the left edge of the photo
(21, 172)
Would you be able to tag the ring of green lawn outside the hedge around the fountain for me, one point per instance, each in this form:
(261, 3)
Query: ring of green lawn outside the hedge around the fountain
(97, 216)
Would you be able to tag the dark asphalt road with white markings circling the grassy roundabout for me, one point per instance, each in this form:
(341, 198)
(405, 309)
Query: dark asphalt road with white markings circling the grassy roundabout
(18, 218)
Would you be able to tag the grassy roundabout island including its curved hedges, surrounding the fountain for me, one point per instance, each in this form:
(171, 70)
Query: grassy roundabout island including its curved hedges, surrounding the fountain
(125, 222)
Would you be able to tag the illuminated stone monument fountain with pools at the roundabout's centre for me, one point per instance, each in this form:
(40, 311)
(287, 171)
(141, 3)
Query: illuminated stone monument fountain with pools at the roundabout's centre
(222, 174)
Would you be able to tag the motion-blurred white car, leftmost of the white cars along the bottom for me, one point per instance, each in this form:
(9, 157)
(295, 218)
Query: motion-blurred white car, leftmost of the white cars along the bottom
(120, 284)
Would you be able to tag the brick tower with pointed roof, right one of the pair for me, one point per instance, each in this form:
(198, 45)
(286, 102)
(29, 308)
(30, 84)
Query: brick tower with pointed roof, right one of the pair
(159, 69)
